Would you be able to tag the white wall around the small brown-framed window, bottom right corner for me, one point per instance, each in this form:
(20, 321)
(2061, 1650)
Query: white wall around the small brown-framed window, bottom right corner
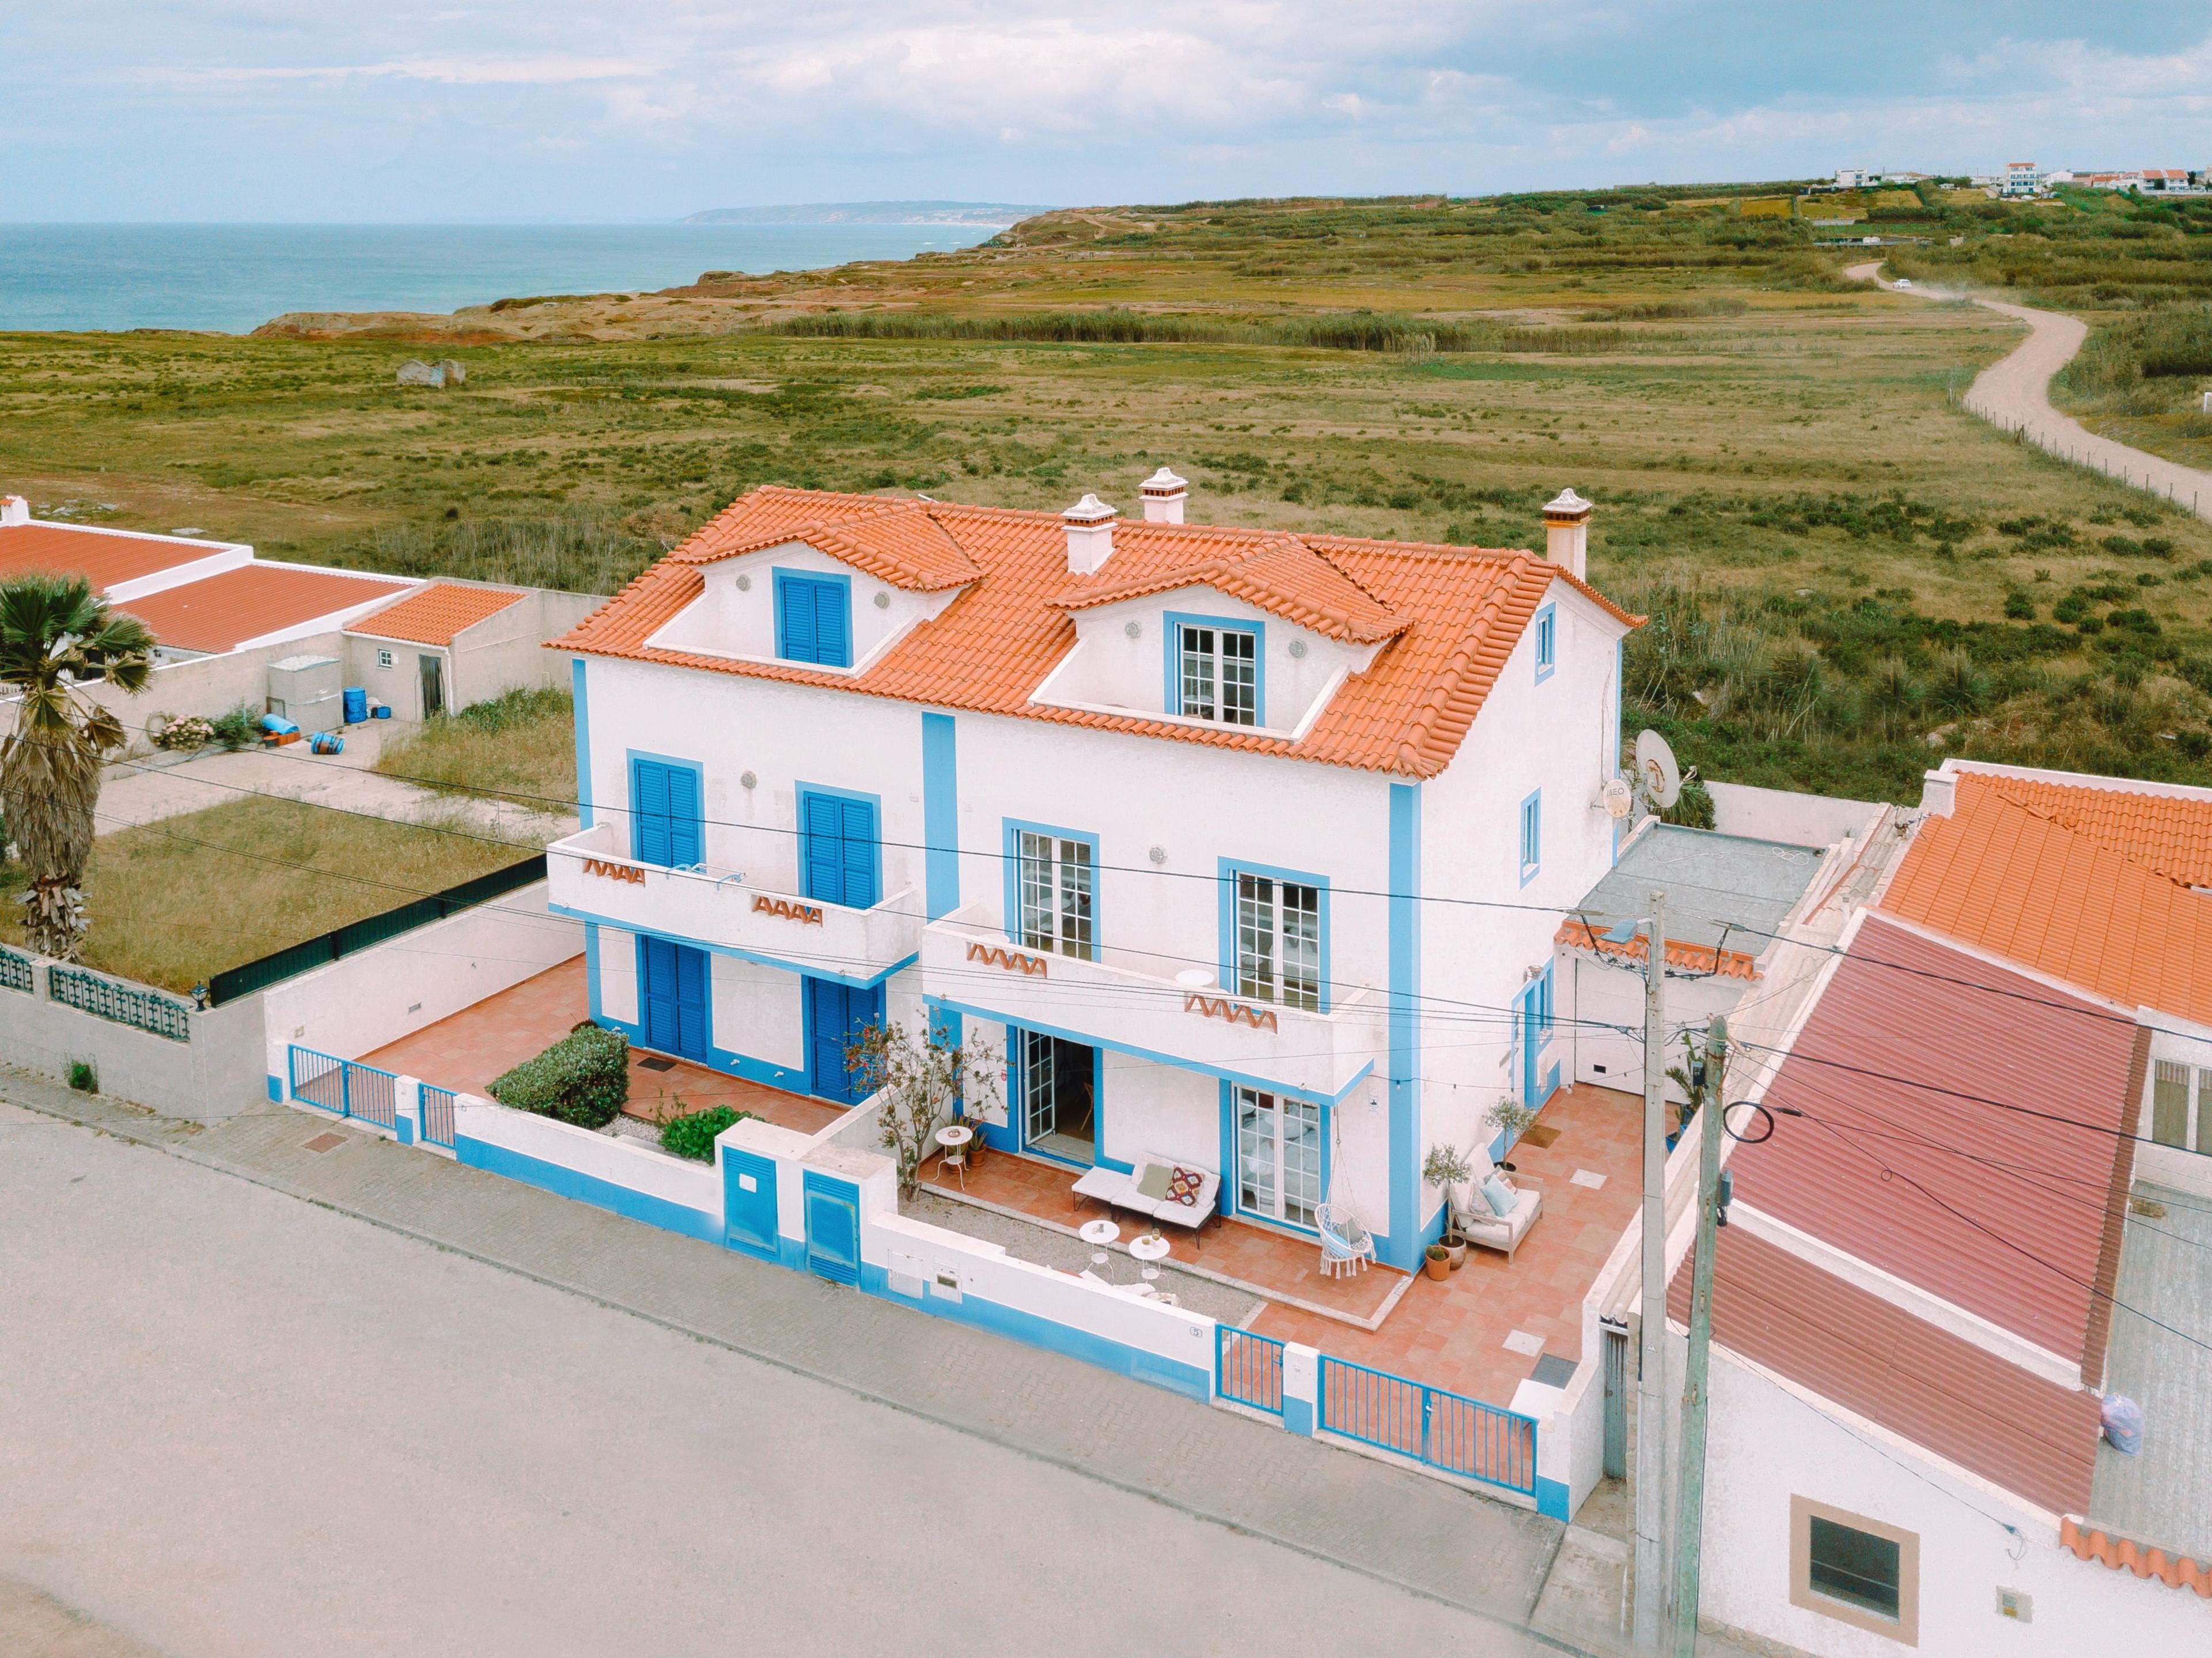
(1771, 1444)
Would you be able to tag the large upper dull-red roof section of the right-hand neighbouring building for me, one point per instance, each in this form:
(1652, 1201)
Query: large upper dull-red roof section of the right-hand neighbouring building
(2010, 1214)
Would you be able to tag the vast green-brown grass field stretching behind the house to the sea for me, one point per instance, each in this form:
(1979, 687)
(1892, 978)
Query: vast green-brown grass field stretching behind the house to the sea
(1848, 577)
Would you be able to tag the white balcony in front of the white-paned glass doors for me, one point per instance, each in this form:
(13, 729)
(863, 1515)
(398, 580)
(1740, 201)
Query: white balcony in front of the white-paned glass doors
(1142, 1013)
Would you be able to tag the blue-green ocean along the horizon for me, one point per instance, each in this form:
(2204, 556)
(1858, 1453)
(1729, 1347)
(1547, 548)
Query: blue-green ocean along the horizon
(233, 278)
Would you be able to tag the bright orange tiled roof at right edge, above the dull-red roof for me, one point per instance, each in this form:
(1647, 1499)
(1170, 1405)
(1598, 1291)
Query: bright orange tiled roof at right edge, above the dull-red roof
(2018, 884)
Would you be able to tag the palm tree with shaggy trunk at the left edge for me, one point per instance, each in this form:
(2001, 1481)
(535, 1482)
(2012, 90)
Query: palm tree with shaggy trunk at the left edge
(54, 639)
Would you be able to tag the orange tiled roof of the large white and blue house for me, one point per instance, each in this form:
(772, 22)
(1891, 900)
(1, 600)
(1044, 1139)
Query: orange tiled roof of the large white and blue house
(1452, 614)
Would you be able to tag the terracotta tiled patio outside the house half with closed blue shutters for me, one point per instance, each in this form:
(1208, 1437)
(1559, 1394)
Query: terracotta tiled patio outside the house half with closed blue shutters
(472, 1048)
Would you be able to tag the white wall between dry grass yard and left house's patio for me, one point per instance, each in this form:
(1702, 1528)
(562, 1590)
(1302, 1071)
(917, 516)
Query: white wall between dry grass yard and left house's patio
(397, 988)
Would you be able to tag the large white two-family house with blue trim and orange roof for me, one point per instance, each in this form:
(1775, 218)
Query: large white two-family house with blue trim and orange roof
(1222, 836)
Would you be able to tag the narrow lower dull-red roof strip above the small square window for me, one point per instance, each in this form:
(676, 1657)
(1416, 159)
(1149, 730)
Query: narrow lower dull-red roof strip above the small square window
(1914, 1378)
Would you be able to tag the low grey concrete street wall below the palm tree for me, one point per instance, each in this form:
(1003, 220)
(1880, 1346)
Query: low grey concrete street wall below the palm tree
(211, 1077)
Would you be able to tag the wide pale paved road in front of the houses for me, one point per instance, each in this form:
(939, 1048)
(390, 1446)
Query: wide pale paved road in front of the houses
(244, 1424)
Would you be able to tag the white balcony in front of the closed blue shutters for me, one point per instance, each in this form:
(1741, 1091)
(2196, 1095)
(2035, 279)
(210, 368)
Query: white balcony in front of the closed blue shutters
(592, 875)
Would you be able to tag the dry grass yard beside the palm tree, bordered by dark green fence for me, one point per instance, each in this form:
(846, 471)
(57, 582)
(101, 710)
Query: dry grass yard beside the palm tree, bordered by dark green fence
(182, 900)
